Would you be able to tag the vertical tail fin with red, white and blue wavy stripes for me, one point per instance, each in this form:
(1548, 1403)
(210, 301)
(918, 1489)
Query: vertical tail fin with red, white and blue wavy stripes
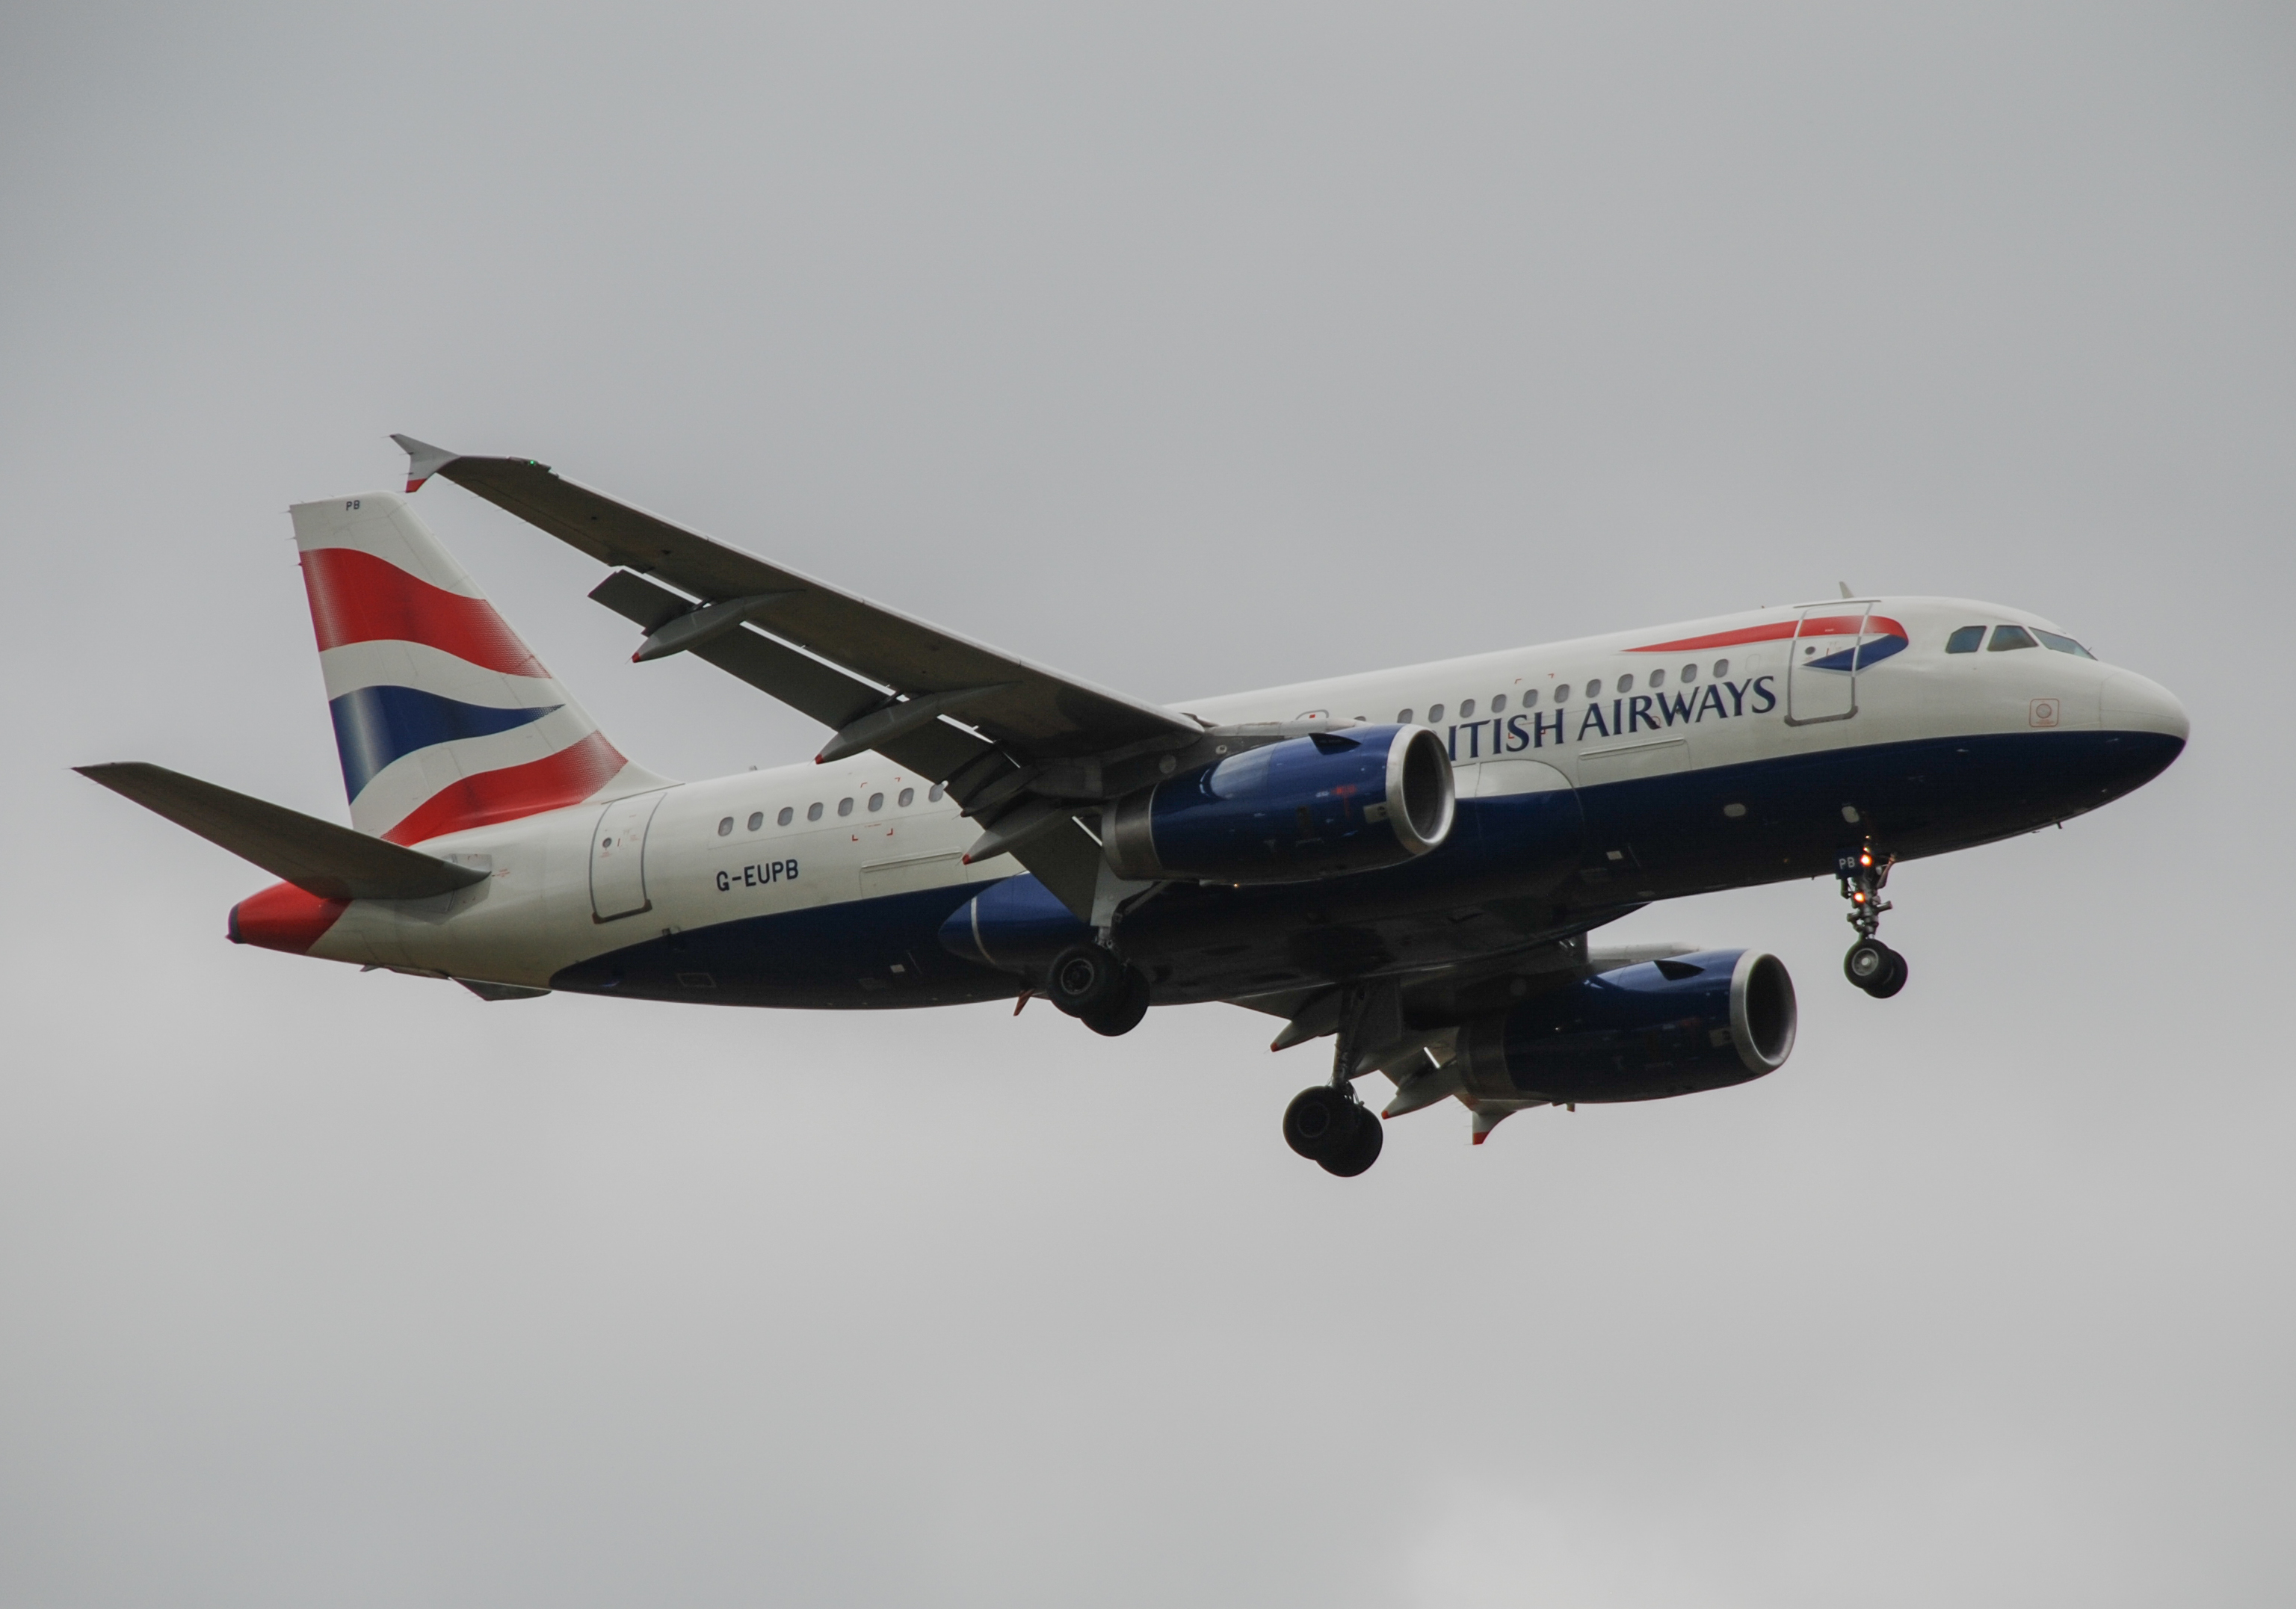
(444, 720)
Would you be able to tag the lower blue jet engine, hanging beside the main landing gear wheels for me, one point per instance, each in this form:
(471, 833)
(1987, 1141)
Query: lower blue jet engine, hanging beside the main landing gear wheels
(1693, 1023)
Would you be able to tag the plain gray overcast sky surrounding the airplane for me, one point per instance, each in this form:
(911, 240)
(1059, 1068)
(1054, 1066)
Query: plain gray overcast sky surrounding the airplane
(1190, 350)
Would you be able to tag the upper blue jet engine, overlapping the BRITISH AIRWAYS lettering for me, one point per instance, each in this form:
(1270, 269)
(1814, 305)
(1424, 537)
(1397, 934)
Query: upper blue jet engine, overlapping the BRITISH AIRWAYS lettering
(1310, 807)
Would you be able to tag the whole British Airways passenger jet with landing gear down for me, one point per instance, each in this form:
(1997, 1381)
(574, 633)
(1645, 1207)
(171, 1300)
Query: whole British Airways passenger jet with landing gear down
(1406, 862)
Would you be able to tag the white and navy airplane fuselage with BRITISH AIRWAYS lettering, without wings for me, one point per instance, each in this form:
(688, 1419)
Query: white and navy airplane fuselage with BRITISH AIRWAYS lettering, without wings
(1592, 777)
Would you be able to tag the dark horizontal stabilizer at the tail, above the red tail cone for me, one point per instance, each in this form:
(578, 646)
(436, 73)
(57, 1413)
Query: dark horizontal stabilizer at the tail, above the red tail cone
(318, 857)
